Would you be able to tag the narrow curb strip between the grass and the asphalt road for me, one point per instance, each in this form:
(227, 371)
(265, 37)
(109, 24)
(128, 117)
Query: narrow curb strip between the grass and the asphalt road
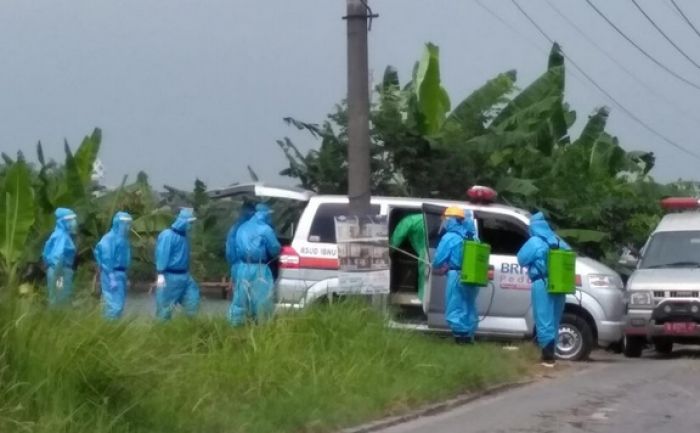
(436, 408)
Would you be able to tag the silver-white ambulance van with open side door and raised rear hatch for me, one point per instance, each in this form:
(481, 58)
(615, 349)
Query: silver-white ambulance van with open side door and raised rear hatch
(307, 270)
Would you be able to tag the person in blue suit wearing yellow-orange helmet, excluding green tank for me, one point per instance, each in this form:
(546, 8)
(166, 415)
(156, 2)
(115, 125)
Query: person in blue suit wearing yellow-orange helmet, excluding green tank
(460, 299)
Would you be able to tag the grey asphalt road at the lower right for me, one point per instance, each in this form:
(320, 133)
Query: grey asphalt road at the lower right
(612, 394)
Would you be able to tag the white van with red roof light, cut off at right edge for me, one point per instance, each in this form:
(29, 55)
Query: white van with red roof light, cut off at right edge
(663, 291)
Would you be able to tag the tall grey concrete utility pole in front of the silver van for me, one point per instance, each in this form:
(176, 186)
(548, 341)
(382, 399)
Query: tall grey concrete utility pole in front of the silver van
(358, 12)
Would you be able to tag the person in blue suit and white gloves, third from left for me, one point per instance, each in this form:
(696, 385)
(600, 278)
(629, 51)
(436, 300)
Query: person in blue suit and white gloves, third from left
(175, 285)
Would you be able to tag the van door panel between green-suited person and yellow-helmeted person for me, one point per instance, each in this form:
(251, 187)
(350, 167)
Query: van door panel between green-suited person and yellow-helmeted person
(434, 296)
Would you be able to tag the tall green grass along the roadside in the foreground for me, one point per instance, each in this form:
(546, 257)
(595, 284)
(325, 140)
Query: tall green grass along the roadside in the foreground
(311, 372)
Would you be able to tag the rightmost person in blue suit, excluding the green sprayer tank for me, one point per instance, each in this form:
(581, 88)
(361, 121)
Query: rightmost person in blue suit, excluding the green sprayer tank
(547, 308)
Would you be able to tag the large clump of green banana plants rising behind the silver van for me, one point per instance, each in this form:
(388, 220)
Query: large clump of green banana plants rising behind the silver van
(516, 140)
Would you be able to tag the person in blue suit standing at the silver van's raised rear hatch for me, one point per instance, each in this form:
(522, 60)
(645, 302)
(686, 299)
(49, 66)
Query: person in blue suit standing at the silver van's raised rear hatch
(256, 246)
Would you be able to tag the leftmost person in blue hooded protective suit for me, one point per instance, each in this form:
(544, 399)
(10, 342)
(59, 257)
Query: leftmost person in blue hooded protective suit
(59, 258)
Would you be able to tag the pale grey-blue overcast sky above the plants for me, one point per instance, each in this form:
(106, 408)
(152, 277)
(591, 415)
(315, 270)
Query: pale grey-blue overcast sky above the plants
(192, 88)
